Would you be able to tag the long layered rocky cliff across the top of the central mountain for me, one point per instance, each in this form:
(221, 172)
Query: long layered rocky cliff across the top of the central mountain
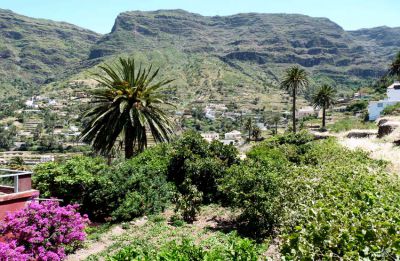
(269, 40)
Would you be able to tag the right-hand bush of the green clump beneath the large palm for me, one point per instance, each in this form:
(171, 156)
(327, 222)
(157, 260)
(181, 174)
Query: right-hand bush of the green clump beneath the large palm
(139, 186)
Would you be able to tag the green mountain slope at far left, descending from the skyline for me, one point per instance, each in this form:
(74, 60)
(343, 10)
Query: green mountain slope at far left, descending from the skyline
(33, 51)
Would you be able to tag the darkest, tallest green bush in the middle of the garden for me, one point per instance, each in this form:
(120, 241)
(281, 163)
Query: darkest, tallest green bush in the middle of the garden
(195, 168)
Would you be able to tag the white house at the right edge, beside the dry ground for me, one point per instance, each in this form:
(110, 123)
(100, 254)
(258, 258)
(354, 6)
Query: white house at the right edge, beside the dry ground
(375, 108)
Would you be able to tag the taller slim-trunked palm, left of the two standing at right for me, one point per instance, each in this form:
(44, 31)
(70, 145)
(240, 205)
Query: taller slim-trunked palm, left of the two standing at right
(294, 80)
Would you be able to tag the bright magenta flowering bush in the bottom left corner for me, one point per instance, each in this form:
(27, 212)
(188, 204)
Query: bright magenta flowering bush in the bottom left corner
(43, 231)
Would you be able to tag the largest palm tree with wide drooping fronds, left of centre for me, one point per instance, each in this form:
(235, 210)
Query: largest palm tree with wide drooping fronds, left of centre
(129, 104)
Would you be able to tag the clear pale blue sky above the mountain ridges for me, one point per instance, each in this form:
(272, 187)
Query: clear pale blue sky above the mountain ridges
(99, 15)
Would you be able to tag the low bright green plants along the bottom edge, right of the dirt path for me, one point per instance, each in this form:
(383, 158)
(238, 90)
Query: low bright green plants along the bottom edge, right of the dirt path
(235, 248)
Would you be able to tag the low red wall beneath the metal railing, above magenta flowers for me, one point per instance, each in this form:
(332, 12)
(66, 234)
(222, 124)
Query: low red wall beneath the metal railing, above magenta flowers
(15, 201)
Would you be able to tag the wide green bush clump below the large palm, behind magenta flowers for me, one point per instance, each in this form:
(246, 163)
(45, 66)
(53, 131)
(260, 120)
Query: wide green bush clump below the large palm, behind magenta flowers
(122, 191)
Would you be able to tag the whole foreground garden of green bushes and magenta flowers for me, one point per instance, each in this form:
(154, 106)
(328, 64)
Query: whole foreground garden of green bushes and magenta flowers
(307, 199)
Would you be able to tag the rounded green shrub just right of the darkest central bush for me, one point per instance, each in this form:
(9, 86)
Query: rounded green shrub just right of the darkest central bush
(252, 187)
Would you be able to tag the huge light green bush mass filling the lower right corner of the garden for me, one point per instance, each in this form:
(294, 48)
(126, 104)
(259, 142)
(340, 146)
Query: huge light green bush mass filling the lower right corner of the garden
(330, 203)
